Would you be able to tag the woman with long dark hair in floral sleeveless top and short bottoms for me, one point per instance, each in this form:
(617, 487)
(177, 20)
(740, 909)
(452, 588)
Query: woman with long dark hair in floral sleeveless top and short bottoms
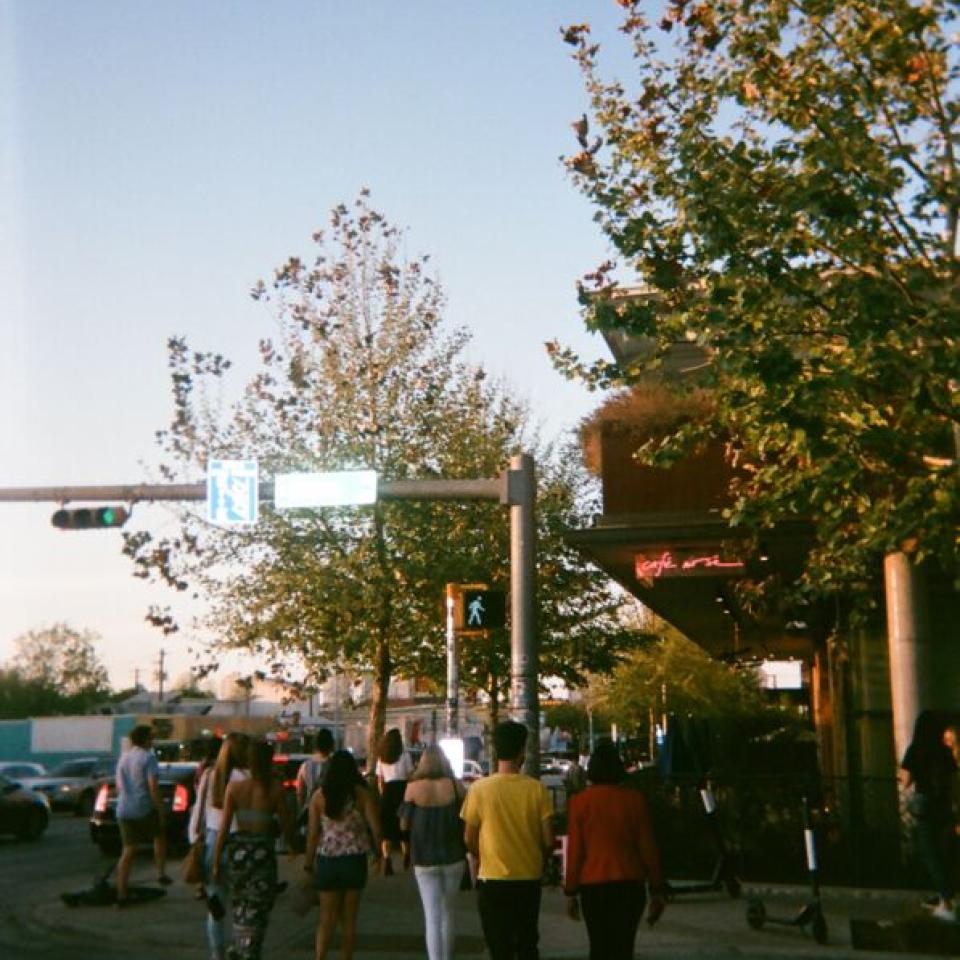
(344, 829)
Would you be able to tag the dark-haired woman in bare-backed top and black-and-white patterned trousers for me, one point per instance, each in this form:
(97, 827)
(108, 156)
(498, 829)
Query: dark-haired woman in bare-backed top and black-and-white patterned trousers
(258, 803)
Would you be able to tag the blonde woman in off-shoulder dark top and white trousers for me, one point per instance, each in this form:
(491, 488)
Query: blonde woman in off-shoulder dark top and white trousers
(431, 812)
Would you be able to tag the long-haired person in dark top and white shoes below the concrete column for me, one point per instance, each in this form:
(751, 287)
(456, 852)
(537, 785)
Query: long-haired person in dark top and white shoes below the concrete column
(927, 770)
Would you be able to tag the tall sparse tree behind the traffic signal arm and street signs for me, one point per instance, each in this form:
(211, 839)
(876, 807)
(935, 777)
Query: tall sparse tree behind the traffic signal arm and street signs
(361, 374)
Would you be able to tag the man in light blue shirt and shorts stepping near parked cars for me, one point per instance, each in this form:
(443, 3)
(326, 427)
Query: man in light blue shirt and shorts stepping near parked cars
(140, 812)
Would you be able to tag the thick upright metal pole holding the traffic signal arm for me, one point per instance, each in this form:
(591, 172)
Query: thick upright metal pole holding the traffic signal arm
(524, 668)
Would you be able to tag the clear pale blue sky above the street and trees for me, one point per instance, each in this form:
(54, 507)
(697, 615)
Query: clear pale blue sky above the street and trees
(157, 159)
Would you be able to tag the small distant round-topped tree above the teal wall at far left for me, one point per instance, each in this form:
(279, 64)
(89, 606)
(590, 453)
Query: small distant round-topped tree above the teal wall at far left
(64, 659)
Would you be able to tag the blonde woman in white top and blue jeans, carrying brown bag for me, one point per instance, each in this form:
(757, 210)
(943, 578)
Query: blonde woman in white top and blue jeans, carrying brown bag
(230, 766)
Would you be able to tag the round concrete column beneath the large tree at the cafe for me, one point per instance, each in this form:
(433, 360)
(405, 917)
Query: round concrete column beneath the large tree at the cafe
(912, 674)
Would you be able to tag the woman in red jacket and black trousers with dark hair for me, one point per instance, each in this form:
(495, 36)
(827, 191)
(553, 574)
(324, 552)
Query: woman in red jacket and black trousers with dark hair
(611, 857)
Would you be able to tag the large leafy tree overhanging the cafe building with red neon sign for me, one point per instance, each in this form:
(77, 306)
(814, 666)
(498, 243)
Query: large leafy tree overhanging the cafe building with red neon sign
(782, 176)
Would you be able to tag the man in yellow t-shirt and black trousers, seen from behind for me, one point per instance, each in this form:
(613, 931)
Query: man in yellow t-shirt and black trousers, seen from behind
(508, 819)
